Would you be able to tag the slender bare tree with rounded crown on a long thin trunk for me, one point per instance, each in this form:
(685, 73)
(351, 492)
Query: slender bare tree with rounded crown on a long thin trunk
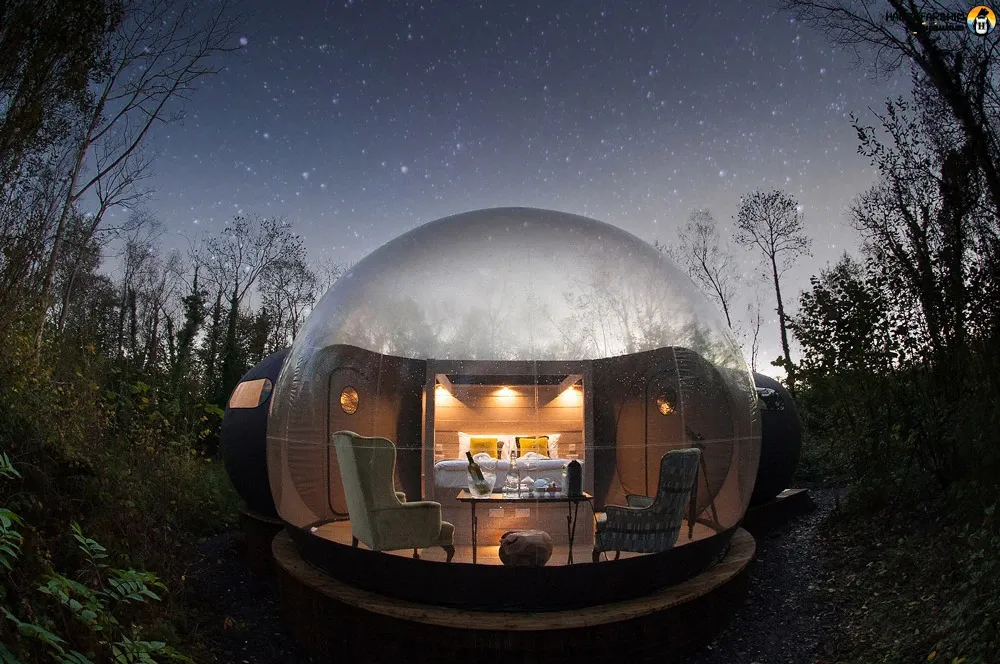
(772, 222)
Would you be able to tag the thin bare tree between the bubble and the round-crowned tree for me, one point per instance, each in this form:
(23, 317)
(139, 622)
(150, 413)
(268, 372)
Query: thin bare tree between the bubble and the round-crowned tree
(707, 260)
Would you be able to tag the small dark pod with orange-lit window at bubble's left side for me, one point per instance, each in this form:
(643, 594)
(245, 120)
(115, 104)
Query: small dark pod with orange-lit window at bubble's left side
(243, 439)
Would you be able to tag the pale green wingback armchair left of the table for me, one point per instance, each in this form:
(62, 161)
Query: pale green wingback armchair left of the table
(380, 516)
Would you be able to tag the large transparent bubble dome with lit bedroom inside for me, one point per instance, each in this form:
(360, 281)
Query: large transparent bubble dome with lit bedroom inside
(514, 324)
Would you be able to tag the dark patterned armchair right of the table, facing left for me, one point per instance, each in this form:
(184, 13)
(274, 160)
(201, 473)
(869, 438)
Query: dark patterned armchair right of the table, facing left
(650, 524)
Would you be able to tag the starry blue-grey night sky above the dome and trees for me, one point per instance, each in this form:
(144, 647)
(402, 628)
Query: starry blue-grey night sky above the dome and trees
(360, 121)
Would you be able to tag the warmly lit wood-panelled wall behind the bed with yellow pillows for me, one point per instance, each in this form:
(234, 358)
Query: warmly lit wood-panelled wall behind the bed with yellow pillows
(519, 410)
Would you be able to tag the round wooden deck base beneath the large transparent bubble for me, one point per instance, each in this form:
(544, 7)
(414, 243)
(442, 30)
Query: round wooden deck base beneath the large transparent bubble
(333, 620)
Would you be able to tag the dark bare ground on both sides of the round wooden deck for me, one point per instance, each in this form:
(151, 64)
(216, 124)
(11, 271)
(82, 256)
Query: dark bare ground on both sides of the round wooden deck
(790, 615)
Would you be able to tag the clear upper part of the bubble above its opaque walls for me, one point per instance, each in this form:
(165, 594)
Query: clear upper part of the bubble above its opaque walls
(518, 284)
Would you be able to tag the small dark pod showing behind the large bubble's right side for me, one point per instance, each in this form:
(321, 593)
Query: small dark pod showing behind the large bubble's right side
(780, 439)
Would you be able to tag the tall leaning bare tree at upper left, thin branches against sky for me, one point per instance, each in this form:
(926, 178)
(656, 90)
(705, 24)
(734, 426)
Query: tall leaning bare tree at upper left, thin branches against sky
(156, 56)
